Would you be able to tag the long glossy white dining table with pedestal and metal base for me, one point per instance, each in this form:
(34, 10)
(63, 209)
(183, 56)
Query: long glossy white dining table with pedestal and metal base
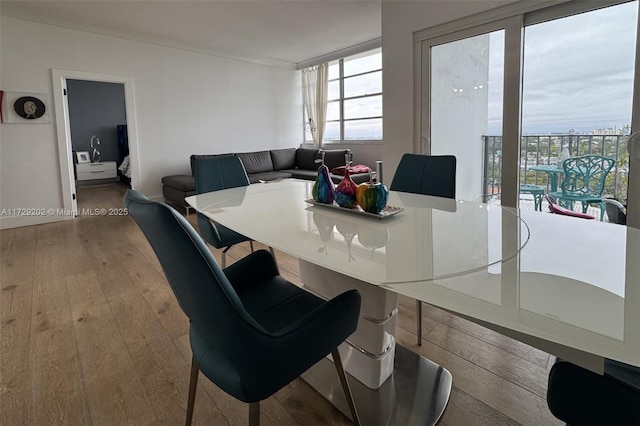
(567, 286)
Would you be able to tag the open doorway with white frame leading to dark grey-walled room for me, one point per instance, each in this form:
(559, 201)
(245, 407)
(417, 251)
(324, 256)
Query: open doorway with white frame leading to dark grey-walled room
(97, 137)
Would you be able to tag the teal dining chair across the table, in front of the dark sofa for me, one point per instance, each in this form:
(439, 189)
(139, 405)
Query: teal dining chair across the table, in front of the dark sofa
(214, 174)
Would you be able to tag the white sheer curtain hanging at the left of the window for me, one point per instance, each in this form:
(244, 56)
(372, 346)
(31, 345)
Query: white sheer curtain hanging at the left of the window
(315, 88)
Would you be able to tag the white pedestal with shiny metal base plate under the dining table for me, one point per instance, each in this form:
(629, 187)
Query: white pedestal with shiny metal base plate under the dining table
(391, 385)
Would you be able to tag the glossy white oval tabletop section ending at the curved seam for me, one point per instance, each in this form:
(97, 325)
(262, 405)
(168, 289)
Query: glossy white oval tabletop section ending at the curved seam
(431, 238)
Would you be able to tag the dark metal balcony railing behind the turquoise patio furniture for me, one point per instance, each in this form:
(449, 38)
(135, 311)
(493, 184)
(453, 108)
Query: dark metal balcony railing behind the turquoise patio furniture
(545, 149)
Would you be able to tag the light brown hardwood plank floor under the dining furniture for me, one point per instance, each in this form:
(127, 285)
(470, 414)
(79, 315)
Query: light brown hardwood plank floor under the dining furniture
(92, 335)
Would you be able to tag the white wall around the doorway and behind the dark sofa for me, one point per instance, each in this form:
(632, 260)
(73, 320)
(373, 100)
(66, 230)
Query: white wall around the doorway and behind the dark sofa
(186, 103)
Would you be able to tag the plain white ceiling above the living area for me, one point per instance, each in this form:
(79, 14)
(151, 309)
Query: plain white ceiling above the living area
(281, 33)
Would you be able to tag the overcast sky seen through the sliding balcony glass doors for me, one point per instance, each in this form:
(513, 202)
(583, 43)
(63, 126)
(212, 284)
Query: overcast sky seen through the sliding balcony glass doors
(578, 72)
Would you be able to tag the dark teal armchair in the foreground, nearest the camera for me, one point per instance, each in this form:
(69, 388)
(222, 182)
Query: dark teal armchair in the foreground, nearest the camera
(251, 331)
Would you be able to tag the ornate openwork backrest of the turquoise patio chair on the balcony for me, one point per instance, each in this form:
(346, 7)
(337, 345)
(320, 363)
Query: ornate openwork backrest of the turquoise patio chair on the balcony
(585, 175)
